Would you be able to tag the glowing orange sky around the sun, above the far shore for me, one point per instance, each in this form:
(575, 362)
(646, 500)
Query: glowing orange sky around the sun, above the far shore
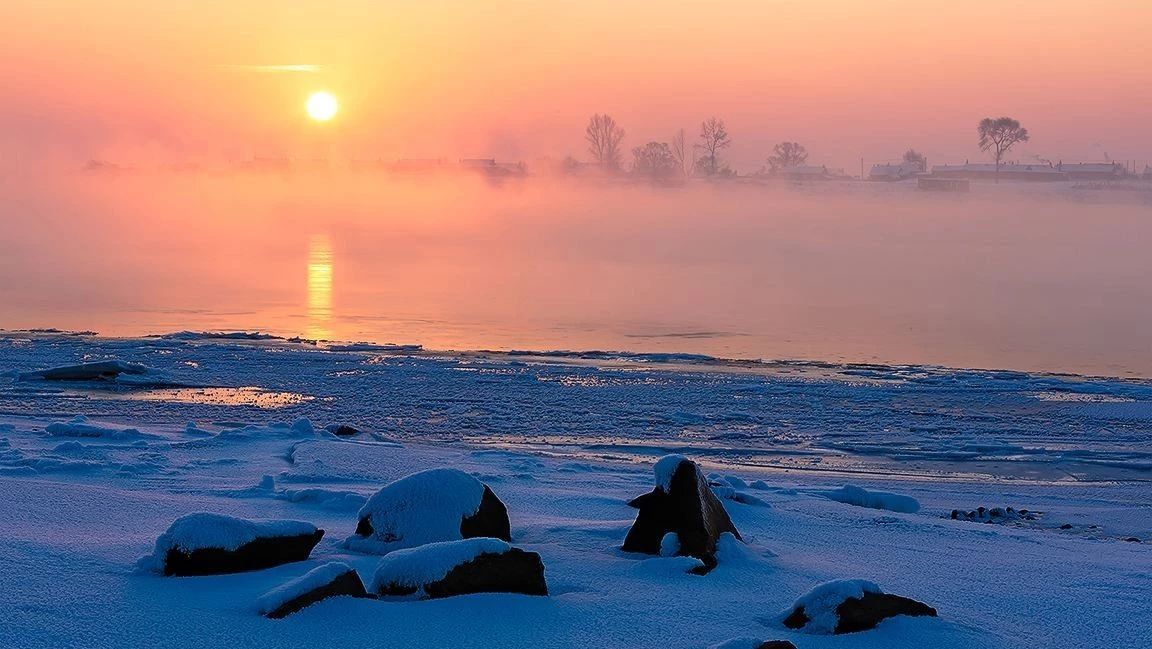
(145, 81)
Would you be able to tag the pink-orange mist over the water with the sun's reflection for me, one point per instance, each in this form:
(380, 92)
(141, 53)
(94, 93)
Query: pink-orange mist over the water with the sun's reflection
(1007, 277)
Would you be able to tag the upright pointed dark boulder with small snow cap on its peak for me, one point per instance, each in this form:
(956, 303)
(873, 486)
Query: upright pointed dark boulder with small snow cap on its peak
(681, 504)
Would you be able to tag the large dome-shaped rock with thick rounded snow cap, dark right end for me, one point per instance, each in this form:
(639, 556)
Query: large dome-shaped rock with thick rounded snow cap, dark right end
(429, 508)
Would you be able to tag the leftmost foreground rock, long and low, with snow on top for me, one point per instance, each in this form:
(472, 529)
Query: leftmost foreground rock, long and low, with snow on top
(206, 544)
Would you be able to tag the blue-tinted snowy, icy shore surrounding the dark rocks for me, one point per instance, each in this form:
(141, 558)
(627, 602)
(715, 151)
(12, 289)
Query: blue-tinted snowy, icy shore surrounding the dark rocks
(566, 443)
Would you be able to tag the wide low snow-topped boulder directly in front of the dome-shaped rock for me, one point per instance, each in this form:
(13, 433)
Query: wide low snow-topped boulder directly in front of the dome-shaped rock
(460, 568)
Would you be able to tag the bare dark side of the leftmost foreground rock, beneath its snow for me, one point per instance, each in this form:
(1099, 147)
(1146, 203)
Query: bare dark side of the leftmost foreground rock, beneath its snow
(263, 553)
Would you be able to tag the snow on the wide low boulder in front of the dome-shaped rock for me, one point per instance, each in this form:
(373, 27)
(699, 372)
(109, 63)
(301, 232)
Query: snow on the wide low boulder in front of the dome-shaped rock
(418, 567)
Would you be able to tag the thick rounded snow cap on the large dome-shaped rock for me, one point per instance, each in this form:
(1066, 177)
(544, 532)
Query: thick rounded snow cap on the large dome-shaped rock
(420, 509)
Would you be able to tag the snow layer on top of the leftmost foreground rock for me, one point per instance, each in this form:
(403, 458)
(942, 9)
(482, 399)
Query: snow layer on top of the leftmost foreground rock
(204, 530)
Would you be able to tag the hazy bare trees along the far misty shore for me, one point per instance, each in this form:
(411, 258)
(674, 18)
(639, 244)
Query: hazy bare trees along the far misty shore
(676, 159)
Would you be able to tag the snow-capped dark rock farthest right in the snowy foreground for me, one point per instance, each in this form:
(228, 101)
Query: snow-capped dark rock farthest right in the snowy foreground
(850, 606)
